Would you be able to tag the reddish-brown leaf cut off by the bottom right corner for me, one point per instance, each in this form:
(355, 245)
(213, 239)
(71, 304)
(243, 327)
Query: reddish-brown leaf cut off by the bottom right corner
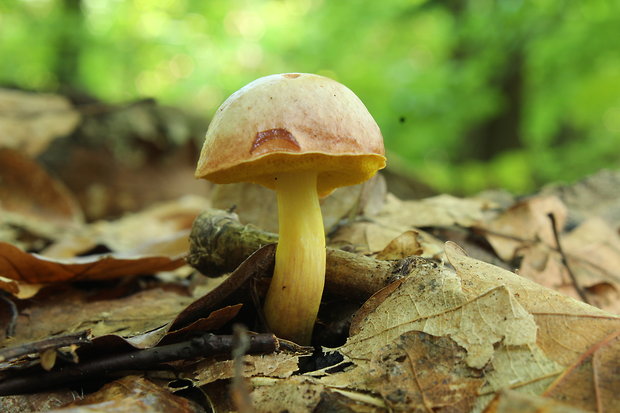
(592, 382)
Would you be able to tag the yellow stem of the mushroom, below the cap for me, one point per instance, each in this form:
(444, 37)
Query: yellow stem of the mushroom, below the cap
(296, 288)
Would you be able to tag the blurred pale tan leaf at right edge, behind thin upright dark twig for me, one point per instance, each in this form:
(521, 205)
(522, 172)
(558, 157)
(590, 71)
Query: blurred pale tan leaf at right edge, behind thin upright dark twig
(591, 251)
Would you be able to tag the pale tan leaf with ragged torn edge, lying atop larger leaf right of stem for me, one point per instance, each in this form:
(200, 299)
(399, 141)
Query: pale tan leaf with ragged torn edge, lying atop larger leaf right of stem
(435, 304)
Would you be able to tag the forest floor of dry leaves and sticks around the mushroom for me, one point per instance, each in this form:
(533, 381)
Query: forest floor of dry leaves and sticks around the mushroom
(442, 303)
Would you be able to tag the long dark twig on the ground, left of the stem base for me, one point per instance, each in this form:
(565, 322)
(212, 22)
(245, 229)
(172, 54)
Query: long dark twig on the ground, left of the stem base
(148, 359)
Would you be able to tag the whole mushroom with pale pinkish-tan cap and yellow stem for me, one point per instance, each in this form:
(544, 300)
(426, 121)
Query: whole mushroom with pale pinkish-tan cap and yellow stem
(302, 135)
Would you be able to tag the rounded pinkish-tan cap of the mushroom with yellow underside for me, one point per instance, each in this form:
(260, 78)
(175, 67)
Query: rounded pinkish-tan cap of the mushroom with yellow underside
(289, 122)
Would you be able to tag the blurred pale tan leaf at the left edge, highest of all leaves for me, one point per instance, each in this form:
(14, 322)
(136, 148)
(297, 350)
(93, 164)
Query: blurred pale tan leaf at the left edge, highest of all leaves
(30, 121)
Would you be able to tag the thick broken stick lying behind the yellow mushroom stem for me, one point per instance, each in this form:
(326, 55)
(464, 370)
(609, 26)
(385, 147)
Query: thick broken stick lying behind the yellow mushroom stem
(219, 243)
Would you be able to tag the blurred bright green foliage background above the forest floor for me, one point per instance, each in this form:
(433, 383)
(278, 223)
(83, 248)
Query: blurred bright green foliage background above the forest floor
(469, 94)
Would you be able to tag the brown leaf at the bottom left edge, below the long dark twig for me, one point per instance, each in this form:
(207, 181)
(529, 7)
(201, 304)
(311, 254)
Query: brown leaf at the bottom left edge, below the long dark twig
(131, 394)
